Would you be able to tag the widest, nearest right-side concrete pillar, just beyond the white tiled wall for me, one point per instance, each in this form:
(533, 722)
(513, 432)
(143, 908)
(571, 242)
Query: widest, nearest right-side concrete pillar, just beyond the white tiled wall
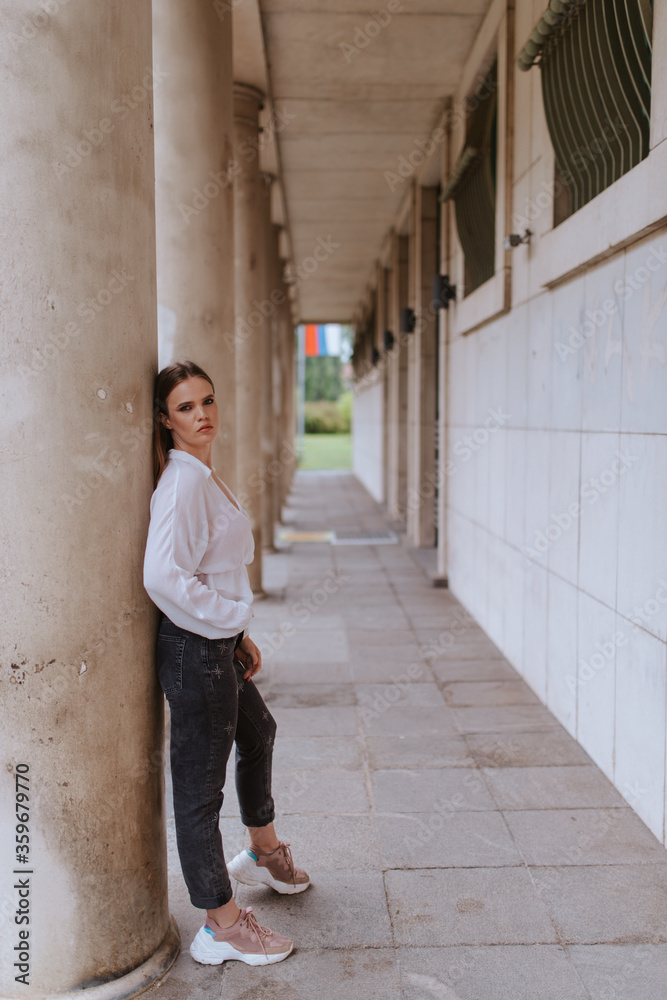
(422, 373)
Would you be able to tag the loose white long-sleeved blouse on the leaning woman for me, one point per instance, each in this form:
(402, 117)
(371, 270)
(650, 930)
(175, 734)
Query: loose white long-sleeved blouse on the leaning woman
(197, 550)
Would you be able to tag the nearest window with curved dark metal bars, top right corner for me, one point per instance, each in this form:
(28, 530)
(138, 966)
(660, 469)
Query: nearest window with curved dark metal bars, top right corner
(595, 61)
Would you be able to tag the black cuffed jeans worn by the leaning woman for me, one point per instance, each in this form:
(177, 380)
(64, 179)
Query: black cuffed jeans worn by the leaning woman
(211, 708)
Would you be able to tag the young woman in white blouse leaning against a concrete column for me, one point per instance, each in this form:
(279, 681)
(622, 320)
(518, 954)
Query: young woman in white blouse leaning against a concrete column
(199, 543)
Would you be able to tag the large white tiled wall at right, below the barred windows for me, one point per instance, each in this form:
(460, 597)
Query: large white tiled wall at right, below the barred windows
(576, 601)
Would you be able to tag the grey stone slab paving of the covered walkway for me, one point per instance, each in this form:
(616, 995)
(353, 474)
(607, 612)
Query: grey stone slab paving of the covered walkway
(461, 845)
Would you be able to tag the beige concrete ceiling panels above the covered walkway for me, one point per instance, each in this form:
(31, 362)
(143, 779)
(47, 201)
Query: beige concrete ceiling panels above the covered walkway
(354, 95)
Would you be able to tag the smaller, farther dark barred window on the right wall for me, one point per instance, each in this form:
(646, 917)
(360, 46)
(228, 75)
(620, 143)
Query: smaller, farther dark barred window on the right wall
(472, 185)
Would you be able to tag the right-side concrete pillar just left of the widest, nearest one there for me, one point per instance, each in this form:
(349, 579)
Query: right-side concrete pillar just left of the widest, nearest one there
(397, 390)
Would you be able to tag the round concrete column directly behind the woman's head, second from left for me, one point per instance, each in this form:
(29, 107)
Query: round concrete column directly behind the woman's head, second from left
(194, 202)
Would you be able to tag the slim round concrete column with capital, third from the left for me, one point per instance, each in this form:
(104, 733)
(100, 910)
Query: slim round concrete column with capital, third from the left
(248, 193)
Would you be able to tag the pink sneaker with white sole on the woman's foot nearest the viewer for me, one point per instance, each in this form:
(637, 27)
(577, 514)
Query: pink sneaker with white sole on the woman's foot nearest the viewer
(246, 940)
